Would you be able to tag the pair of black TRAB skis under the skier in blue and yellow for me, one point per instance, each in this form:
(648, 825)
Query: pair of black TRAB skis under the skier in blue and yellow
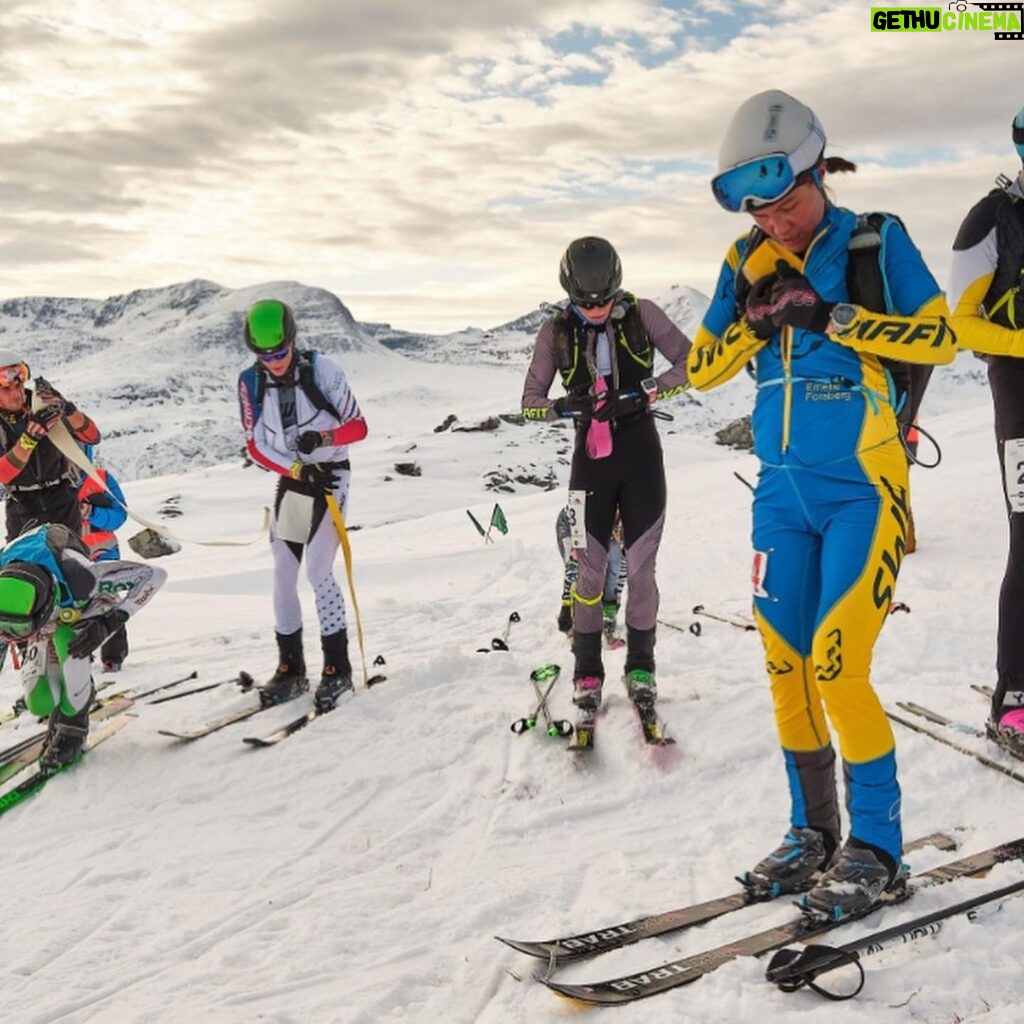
(638, 986)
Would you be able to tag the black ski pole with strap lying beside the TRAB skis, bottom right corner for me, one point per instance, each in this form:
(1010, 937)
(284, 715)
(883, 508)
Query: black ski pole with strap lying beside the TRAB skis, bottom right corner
(792, 969)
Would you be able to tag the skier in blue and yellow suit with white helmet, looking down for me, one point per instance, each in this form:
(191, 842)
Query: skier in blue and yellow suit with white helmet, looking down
(831, 506)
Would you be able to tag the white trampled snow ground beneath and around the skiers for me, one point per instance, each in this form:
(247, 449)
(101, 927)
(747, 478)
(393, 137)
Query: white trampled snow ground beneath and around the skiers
(359, 872)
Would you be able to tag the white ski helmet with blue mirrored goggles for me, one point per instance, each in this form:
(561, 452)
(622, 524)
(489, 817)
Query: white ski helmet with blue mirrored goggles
(772, 141)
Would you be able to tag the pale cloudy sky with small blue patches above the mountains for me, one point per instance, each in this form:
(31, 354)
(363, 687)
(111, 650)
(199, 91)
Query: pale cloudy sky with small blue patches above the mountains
(429, 162)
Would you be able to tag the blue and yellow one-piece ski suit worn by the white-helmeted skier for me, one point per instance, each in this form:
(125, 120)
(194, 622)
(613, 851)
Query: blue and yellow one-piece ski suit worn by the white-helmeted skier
(830, 509)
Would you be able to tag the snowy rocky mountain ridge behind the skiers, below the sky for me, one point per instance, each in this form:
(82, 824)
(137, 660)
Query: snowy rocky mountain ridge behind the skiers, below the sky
(157, 369)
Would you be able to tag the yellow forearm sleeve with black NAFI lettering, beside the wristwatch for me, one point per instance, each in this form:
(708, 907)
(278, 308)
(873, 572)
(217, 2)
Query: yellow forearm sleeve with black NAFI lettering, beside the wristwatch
(925, 337)
